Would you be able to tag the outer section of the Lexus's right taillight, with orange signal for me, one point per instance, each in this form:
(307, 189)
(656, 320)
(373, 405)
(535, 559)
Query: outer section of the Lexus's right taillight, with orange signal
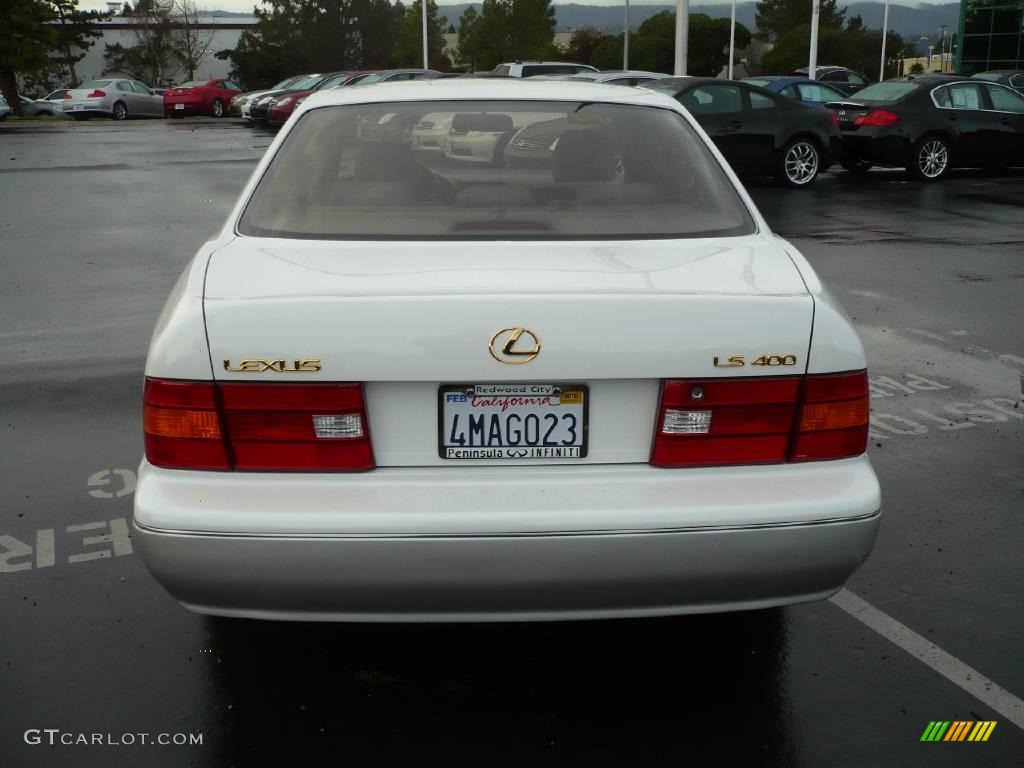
(834, 419)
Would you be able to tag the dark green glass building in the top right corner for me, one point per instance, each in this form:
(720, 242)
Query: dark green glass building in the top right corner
(991, 35)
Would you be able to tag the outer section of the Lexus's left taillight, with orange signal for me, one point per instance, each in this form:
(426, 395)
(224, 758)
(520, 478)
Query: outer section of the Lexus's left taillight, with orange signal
(182, 425)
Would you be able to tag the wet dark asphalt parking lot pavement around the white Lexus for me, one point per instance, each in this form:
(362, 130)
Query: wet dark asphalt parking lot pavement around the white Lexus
(96, 224)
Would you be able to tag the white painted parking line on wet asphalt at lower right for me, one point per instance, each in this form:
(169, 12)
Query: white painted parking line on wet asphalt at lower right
(954, 670)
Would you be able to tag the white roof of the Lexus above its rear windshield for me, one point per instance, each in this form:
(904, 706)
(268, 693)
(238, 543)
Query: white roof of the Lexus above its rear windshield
(514, 90)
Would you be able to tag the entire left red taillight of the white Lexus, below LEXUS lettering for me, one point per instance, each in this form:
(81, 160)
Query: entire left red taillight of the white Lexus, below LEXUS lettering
(268, 428)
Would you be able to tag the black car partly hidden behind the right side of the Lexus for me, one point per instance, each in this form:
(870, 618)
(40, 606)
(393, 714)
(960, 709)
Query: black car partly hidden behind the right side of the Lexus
(759, 133)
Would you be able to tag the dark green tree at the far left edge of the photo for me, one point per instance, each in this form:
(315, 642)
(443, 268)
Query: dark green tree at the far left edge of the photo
(26, 39)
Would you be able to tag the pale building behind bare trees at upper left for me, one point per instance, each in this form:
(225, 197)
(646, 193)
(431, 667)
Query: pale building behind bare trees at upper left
(224, 31)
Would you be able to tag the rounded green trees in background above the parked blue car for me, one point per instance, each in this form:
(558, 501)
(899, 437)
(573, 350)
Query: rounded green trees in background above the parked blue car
(858, 49)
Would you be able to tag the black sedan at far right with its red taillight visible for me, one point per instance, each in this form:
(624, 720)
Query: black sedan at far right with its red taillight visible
(932, 123)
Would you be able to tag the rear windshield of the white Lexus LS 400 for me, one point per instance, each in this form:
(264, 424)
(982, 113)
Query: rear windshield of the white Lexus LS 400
(495, 170)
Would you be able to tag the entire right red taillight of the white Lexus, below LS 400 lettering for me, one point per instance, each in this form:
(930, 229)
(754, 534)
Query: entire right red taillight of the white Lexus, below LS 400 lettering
(770, 420)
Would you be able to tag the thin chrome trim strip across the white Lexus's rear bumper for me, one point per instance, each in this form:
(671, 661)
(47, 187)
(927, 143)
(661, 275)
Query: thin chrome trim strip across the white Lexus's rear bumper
(513, 535)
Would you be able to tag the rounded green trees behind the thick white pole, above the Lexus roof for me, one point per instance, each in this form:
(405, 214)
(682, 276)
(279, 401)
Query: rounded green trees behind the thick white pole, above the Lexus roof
(653, 47)
